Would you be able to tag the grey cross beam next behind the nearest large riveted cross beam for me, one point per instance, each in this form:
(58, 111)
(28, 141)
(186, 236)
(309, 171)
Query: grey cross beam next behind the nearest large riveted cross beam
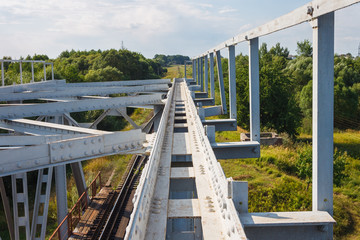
(57, 108)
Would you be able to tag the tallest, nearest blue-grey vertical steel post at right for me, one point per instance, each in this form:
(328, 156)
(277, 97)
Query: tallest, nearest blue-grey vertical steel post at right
(323, 112)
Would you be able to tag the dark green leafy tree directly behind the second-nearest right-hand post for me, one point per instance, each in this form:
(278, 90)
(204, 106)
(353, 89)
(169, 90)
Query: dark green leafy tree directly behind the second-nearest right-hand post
(278, 108)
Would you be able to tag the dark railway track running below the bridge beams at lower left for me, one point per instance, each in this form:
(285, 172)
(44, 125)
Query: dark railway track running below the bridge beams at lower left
(113, 219)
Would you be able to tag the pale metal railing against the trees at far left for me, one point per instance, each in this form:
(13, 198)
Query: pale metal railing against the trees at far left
(21, 69)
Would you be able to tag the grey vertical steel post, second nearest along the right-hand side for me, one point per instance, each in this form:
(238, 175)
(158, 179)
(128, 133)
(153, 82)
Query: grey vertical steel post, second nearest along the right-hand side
(254, 89)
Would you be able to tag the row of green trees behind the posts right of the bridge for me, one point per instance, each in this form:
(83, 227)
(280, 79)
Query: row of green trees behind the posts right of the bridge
(286, 89)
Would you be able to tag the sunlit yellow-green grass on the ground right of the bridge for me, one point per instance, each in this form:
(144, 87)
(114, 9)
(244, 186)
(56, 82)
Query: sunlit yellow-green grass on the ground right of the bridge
(275, 185)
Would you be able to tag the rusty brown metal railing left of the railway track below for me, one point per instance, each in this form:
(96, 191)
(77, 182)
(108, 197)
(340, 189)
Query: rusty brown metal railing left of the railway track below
(74, 215)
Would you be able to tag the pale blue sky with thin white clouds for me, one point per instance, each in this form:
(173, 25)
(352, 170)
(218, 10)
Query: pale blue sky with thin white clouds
(153, 26)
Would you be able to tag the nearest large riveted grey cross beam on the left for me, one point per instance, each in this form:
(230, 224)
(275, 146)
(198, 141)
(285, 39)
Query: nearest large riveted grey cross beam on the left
(68, 151)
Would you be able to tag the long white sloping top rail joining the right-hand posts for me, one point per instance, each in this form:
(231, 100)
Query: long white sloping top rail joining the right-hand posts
(300, 15)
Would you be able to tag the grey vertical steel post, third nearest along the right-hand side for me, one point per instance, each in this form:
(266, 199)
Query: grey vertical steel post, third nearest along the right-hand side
(232, 82)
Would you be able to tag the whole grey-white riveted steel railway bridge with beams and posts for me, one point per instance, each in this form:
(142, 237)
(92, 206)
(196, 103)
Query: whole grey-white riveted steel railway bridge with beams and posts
(181, 191)
